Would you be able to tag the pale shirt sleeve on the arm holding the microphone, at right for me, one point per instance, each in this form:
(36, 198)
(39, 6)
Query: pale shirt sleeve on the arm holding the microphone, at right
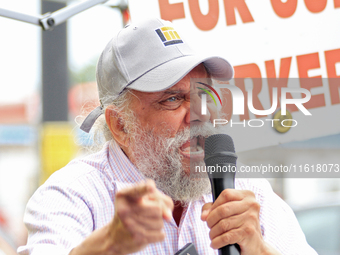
(279, 225)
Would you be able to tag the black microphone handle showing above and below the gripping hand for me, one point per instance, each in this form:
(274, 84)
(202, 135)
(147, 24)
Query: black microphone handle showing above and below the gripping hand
(217, 186)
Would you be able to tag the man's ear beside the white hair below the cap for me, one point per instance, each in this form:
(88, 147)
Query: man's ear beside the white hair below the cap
(115, 123)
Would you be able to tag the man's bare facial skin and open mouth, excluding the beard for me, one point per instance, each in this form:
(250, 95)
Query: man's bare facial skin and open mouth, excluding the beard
(173, 110)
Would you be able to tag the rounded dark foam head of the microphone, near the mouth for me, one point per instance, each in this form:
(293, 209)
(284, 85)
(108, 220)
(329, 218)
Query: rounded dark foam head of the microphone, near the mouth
(219, 149)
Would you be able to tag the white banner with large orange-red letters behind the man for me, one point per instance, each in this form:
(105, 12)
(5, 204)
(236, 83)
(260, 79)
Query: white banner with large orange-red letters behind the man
(273, 40)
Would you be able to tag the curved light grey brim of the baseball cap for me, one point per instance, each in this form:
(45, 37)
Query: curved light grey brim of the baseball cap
(169, 73)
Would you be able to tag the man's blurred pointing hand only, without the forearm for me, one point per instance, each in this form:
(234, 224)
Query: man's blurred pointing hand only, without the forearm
(139, 217)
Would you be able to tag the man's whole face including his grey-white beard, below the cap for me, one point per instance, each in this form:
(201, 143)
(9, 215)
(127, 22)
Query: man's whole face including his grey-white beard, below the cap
(167, 133)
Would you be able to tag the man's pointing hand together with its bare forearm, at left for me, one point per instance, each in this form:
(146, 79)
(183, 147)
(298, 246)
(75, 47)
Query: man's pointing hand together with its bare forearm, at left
(138, 221)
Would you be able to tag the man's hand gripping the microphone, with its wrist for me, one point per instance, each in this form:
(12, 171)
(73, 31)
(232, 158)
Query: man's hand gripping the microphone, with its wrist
(234, 218)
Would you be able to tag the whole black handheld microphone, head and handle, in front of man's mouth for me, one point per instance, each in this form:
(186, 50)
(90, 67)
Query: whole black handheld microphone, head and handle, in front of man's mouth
(220, 161)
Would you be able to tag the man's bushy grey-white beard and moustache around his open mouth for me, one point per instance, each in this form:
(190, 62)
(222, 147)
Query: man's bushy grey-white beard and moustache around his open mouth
(159, 158)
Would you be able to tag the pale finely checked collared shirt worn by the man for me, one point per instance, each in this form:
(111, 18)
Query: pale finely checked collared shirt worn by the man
(80, 198)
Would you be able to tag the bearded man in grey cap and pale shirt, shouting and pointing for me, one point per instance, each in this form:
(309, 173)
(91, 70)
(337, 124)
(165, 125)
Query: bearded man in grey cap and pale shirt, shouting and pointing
(136, 195)
